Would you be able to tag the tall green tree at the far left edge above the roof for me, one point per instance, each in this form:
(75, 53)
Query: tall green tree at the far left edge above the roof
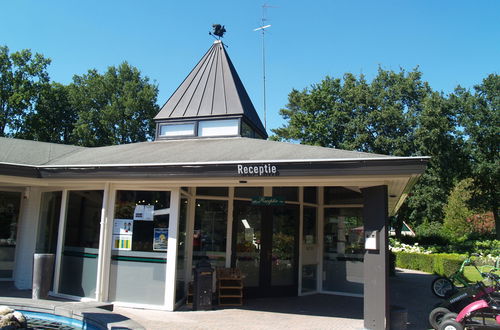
(22, 77)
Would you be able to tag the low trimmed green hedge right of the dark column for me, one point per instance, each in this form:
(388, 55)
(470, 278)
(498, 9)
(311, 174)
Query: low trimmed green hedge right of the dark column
(436, 263)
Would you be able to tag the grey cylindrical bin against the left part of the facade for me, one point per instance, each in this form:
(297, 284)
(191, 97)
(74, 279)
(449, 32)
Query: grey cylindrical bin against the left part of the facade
(43, 268)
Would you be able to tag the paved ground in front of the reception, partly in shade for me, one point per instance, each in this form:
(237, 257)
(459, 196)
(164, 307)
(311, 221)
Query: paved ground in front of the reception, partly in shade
(409, 289)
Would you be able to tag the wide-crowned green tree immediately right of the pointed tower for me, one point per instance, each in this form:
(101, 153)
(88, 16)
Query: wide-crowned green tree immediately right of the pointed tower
(352, 114)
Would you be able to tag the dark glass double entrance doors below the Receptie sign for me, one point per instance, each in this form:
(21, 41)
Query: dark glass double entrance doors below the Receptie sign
(265, 248)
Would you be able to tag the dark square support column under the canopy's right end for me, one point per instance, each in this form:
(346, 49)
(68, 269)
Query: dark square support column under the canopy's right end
(376, 262)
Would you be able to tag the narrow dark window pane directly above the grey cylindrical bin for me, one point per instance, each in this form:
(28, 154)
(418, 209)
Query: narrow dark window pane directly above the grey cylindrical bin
(50, 211)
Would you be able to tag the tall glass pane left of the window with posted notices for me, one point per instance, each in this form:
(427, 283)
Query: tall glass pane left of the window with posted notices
(81, 243)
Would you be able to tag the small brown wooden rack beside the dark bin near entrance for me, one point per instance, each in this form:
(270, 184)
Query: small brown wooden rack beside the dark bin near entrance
(229, 287)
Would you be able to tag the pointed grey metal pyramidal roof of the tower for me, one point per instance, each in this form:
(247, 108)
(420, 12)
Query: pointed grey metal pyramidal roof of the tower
(213, 89)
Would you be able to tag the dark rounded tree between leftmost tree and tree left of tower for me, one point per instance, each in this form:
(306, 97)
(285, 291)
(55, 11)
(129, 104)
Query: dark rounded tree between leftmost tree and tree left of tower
(53, 119)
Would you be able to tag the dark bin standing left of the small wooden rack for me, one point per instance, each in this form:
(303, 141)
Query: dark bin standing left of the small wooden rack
(202, 286)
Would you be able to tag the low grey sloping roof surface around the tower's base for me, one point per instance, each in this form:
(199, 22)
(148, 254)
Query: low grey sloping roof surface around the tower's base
(177, 152)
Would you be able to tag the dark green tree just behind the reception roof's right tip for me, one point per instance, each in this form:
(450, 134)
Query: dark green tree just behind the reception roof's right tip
(436, 135)
